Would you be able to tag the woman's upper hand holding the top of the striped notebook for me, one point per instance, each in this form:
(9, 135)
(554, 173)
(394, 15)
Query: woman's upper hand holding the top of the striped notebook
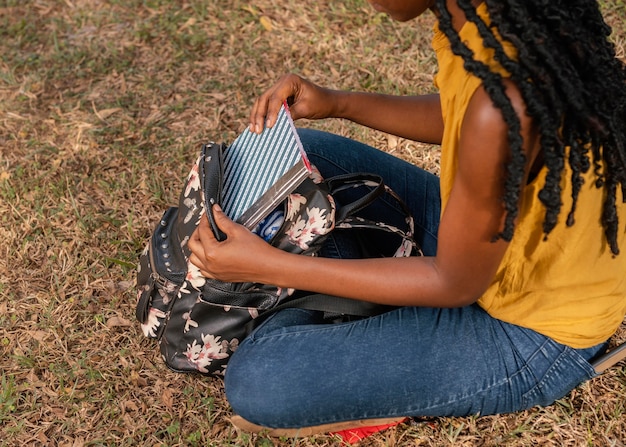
(305, 99)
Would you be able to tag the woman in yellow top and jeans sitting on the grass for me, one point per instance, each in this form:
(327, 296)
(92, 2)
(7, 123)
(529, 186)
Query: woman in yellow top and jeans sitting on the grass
(522, 281)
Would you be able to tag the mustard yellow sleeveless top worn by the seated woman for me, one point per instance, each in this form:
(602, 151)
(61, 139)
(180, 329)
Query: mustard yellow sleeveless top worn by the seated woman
(568, 287)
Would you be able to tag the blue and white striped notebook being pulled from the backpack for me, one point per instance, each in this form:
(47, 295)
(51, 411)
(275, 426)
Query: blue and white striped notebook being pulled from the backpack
(260, 170)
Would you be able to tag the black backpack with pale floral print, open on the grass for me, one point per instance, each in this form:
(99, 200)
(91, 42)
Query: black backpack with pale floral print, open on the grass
(199, 322)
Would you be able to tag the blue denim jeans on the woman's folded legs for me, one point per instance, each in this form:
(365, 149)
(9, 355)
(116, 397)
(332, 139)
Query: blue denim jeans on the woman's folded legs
(297, 370)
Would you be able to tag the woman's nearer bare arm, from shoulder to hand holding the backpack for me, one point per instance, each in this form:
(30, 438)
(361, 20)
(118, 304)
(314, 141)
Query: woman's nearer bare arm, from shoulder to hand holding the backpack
(466, 261)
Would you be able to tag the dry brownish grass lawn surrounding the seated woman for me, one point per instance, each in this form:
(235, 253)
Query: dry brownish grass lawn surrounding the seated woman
(103, 105)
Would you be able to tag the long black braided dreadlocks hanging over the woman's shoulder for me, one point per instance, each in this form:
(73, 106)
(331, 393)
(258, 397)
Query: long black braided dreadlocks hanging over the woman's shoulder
(574, 88)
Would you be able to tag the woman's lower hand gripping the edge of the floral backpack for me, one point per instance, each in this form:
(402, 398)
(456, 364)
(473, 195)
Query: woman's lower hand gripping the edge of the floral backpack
(236, 259)
